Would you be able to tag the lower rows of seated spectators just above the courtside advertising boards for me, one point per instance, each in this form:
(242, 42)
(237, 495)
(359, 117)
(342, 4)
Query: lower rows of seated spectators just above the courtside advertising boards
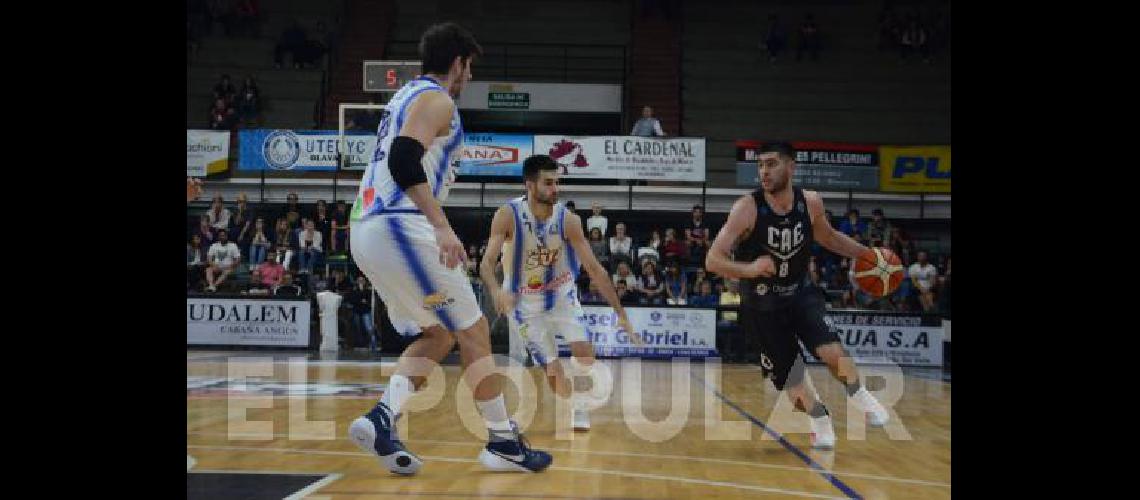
(283, 250)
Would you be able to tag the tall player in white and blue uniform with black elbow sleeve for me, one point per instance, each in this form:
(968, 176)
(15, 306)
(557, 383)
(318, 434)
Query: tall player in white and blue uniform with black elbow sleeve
(404, 243)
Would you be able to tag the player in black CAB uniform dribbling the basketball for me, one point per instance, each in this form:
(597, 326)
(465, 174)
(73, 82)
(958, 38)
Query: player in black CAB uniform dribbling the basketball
(775, 227)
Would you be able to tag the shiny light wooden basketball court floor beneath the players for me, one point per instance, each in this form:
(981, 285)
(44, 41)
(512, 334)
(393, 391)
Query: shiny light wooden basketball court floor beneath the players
(289, 414)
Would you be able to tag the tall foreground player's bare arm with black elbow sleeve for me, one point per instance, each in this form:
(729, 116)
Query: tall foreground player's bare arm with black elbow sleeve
(430, 116)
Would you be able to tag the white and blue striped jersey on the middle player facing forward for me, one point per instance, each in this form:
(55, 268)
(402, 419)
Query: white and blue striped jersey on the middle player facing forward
(539, 263)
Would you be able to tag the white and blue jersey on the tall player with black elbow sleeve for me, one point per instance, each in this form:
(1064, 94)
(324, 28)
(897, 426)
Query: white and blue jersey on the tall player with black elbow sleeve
(379, 192)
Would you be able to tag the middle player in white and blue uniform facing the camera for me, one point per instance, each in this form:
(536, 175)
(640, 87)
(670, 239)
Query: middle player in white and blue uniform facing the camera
(543, 244)
